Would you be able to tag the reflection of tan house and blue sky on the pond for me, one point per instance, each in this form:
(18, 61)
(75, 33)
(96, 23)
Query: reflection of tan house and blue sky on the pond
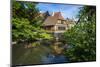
(56, 54)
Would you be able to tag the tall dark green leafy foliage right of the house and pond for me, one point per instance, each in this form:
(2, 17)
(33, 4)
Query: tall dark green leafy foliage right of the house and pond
(82, 37)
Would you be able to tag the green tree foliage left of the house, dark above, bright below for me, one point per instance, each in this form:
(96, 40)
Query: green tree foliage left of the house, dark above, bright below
(26, 22)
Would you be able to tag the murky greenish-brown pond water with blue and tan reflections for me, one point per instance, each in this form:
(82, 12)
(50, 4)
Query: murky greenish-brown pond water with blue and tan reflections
(42, 54)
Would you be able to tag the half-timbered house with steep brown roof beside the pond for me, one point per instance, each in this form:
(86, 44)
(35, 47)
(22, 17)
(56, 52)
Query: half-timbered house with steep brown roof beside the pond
(57, 24)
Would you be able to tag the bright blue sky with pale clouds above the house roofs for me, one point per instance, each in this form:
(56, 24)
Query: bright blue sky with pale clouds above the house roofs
(67, 10)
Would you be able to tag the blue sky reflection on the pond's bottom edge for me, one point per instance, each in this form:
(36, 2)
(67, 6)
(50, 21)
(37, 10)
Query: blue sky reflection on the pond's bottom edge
(50, 58)
